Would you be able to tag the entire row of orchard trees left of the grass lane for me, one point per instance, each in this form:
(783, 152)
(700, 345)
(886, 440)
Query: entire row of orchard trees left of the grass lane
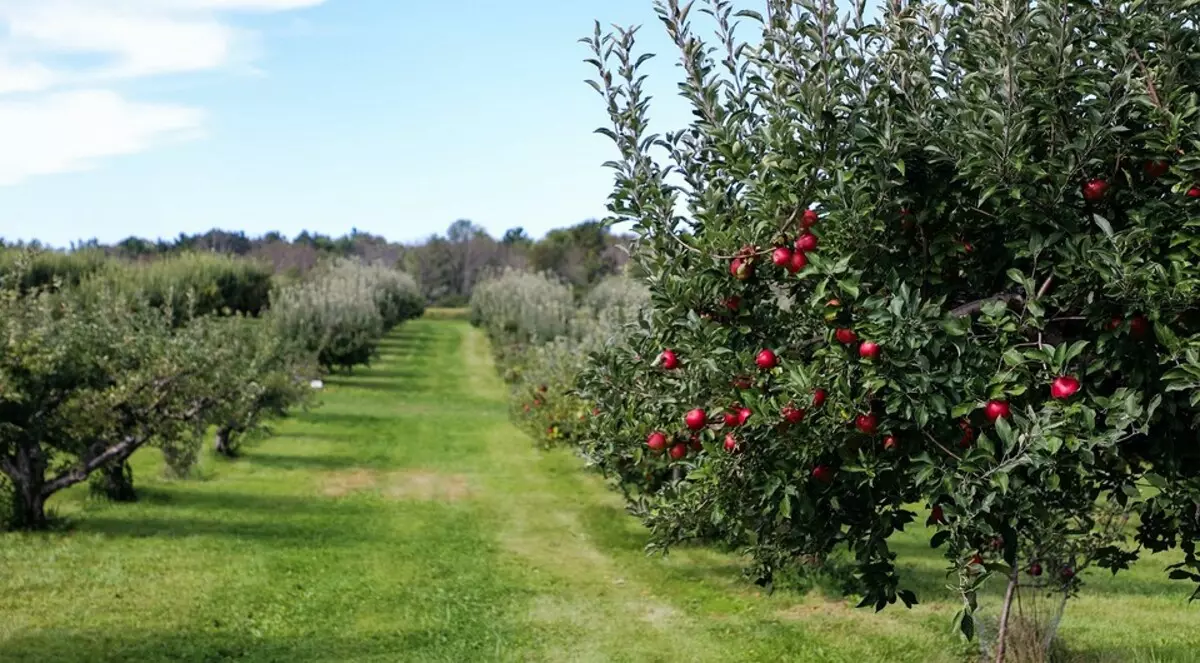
(105, 359)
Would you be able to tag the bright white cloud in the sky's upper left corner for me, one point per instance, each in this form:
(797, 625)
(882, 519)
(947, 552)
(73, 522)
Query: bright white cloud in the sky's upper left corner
(69, 117)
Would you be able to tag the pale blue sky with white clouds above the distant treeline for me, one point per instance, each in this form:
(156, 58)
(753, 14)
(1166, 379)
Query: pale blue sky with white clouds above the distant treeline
(395, 117)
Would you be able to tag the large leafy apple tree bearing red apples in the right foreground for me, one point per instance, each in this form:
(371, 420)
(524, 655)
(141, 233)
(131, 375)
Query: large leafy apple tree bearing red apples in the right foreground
(994, 210)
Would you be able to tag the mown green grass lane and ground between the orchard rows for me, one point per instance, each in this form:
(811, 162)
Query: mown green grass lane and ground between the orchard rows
(407, 521)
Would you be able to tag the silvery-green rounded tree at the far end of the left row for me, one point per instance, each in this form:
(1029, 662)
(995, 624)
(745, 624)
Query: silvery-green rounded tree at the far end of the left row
(344, 310)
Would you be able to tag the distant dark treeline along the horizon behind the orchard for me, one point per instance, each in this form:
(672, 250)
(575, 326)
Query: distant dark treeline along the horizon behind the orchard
(447, 267)
